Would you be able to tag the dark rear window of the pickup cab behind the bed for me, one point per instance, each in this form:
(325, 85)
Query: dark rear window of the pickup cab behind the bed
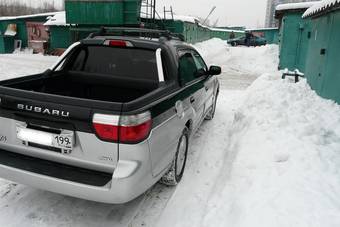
(120, 62)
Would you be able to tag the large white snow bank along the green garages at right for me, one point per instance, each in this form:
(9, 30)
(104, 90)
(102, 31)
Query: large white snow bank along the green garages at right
(286, 167)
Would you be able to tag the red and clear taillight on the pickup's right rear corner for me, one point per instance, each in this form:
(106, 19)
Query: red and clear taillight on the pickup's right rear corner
(123, 129)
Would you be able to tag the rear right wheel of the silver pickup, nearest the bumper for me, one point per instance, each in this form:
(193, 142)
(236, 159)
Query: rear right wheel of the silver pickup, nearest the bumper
(176, 171)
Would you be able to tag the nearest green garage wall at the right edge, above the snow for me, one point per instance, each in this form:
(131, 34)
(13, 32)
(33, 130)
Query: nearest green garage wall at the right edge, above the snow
(322, 70)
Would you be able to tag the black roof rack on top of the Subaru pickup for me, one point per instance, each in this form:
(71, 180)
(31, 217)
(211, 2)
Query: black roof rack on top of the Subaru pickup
(139, 32)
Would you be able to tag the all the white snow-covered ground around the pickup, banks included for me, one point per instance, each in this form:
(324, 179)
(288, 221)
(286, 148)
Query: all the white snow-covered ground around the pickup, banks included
(271, 157)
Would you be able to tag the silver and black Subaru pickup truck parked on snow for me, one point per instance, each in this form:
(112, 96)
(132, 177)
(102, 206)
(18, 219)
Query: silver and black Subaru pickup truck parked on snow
(111, 118)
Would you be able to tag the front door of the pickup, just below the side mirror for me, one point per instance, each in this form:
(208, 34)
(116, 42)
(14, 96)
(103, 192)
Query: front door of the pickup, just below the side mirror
(209, 81)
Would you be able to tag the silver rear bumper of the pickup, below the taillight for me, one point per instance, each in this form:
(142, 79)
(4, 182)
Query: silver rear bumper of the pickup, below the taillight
(131, 178)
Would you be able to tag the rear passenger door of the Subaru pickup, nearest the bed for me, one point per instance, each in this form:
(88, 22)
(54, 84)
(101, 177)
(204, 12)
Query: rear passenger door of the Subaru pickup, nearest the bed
(194, 84)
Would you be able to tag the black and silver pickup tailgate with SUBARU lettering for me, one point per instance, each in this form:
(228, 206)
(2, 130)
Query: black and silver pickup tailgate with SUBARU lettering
(32, 127)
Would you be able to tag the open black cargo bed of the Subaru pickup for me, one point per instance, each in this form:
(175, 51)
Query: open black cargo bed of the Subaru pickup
(87, 86)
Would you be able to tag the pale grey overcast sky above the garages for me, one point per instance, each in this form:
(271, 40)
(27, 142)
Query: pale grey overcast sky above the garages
(250, 13)
